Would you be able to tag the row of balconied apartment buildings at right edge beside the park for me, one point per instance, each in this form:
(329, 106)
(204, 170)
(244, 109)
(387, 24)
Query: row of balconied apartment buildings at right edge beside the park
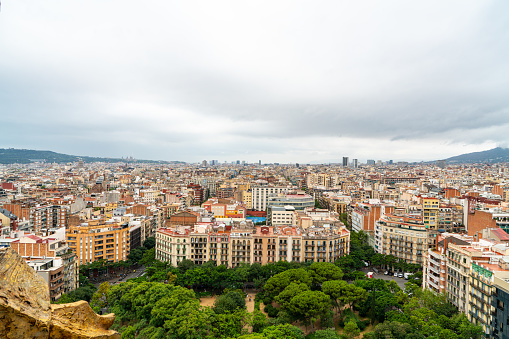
(474, 278)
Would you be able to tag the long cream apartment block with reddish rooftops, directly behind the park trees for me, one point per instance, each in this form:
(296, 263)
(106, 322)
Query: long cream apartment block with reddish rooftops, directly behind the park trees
(244, 244)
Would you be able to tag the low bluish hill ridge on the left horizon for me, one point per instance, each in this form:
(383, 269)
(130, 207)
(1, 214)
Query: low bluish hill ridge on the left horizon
(26, 156)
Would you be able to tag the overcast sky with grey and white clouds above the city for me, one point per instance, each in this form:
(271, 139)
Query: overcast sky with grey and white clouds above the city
(280, 81)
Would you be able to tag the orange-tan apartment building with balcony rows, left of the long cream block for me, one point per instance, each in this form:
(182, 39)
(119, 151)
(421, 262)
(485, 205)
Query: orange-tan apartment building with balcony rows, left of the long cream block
(99, 239)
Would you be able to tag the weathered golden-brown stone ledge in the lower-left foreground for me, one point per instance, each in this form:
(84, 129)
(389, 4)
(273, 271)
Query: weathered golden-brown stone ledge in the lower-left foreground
(26, 312)
